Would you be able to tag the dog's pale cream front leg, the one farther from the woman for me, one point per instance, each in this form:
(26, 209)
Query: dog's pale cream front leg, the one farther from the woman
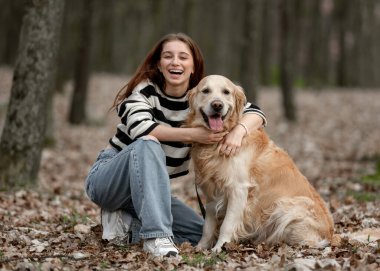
(237, 200)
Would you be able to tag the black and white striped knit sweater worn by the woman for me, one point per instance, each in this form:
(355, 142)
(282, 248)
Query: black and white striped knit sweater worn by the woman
(148, 107)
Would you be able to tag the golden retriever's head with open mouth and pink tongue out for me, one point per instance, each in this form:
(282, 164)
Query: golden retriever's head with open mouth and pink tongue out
(215, 103)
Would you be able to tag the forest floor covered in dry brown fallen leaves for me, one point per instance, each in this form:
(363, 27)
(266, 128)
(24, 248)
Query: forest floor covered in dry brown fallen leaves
(335, 143)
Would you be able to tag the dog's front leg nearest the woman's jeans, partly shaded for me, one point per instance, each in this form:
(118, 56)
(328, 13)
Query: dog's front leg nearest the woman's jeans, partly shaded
(209, 227)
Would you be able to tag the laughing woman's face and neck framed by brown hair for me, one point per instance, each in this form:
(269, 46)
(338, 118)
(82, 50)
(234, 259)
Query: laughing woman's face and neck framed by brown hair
(176, 64)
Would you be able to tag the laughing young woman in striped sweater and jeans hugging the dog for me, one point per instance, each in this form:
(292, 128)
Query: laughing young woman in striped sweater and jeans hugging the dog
(130, 180)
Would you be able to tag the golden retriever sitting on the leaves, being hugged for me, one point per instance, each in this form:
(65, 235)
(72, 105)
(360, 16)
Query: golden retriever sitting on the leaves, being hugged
(258, 193)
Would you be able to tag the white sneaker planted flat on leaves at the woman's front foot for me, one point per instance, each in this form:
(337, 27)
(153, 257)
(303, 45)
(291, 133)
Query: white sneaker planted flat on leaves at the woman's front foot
(163, 246)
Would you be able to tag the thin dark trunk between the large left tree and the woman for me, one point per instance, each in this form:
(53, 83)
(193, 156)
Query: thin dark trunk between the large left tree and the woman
(77, 113)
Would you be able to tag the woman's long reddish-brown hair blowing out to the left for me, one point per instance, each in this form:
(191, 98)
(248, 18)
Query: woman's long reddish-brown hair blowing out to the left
(149, 68)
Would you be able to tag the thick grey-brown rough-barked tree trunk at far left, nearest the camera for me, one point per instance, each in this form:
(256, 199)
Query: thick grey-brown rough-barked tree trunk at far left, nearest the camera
(24, 129)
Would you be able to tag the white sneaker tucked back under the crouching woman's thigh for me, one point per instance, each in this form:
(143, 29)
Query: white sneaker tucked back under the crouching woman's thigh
(116, 226)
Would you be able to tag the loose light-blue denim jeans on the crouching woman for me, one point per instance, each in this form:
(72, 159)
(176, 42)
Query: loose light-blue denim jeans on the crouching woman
(136, 180)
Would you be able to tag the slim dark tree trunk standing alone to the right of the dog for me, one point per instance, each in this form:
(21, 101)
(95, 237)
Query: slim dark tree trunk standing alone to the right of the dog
(286, 59)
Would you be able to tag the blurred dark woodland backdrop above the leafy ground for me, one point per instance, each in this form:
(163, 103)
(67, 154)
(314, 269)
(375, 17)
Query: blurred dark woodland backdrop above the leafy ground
(331, 42)
